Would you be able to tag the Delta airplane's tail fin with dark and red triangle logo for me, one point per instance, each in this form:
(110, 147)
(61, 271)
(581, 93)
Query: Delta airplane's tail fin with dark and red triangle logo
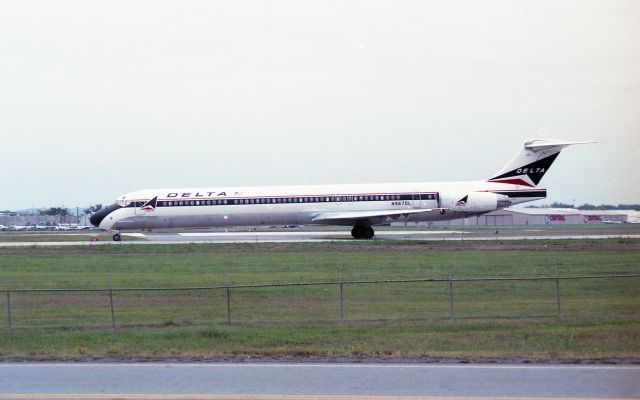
(530, 164)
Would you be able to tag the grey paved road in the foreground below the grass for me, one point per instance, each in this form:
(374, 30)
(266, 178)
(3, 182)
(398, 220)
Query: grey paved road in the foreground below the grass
(305, 381)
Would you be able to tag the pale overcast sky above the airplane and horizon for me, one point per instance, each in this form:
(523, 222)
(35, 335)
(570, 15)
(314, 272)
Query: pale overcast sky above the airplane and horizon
(99, 98)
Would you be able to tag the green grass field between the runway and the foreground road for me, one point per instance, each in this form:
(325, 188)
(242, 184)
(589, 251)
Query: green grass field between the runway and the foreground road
(511, 319)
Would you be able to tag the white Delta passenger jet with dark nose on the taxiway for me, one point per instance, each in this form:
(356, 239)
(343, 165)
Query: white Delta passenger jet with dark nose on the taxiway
(360, 206)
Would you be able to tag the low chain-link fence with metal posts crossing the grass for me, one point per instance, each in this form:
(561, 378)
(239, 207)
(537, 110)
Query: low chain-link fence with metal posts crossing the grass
(338, 301)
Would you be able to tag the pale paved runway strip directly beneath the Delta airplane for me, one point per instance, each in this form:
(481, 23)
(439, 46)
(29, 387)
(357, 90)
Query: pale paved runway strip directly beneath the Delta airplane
(326, 236)
